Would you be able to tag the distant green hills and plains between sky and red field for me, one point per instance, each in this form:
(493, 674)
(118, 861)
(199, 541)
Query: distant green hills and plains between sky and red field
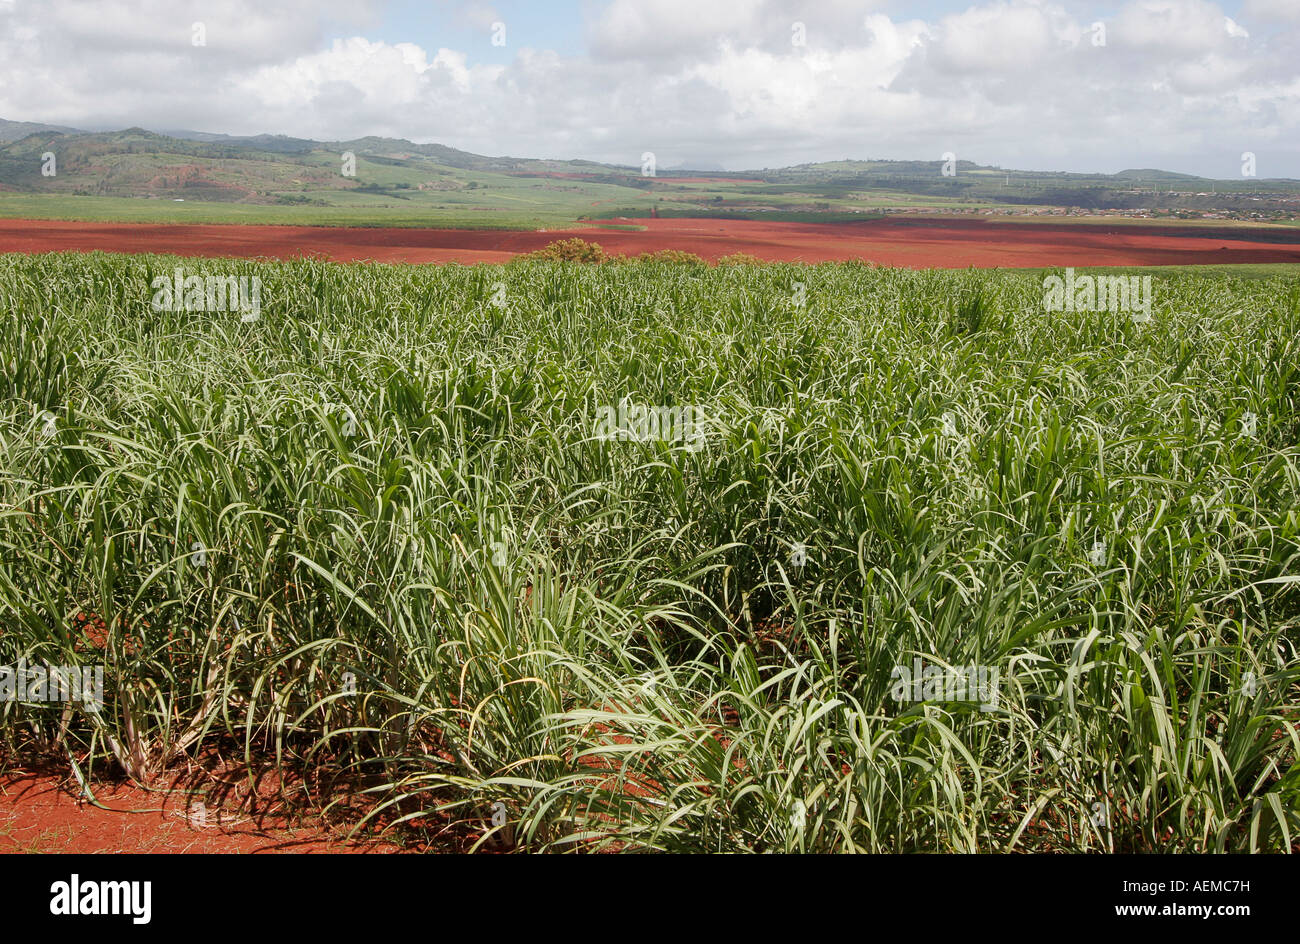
(395, 175)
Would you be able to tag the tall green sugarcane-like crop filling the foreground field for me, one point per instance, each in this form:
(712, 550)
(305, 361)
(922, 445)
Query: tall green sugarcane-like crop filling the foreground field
(376, 534)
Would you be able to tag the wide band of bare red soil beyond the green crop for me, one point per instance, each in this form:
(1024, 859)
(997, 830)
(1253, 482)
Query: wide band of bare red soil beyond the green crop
(913, 244)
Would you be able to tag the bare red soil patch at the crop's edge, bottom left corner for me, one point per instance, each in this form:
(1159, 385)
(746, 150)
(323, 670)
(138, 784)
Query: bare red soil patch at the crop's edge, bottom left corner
(38, 813)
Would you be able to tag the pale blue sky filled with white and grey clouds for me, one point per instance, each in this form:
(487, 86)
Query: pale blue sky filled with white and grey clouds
(1046, 85)
